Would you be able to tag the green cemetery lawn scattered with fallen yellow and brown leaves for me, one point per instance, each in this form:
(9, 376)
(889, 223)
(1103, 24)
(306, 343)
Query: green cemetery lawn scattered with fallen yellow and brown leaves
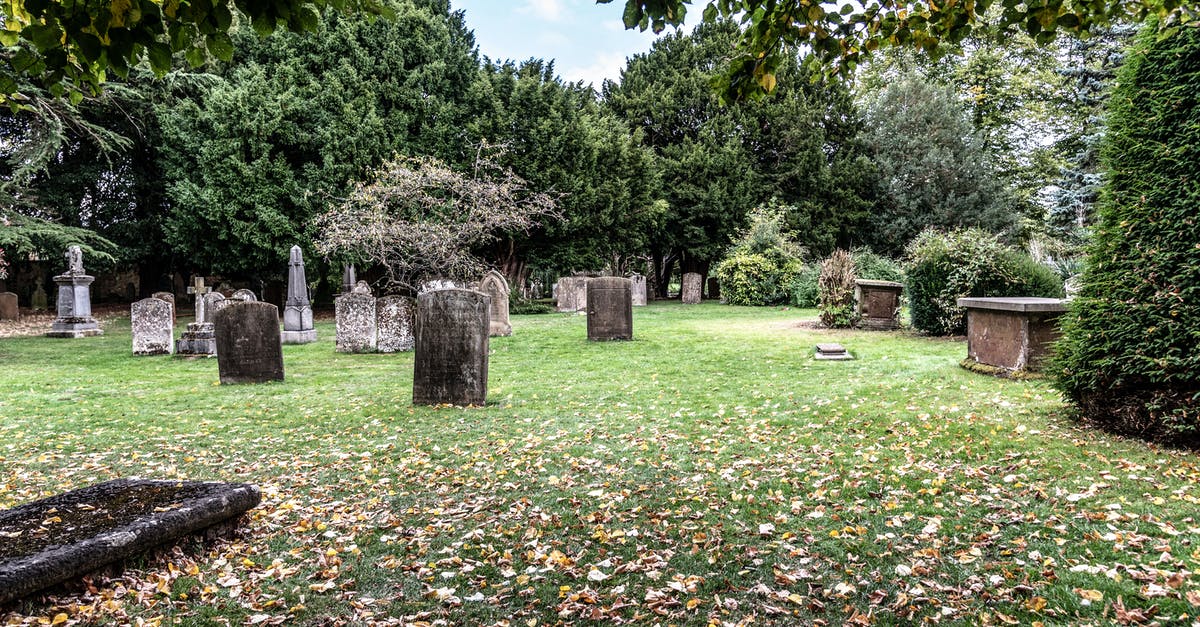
(707, 473)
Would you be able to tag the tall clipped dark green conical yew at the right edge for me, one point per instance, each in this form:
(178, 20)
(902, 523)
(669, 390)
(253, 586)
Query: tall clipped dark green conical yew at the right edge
(1130, 357)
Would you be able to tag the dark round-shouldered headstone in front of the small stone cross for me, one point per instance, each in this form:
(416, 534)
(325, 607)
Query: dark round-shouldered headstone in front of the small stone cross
(249, 348)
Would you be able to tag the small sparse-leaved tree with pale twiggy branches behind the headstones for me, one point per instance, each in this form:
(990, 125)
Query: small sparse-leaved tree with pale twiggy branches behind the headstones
(419, 219)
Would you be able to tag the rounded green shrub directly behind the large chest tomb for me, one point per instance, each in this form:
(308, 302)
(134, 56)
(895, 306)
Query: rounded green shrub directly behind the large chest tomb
(944, 267)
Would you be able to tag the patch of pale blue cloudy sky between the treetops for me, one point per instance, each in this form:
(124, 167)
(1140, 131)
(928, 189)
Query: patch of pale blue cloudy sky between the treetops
(586, 41)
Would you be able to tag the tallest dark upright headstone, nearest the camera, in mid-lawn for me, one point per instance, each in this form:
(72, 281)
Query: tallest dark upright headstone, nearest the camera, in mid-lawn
(451, 366)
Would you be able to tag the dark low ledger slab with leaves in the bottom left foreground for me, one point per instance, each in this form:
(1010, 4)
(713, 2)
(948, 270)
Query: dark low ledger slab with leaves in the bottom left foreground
(75, 534)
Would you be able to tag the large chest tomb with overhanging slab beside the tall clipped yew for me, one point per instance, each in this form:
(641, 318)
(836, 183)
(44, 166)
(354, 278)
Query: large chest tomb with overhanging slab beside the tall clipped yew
(1012, 335)
